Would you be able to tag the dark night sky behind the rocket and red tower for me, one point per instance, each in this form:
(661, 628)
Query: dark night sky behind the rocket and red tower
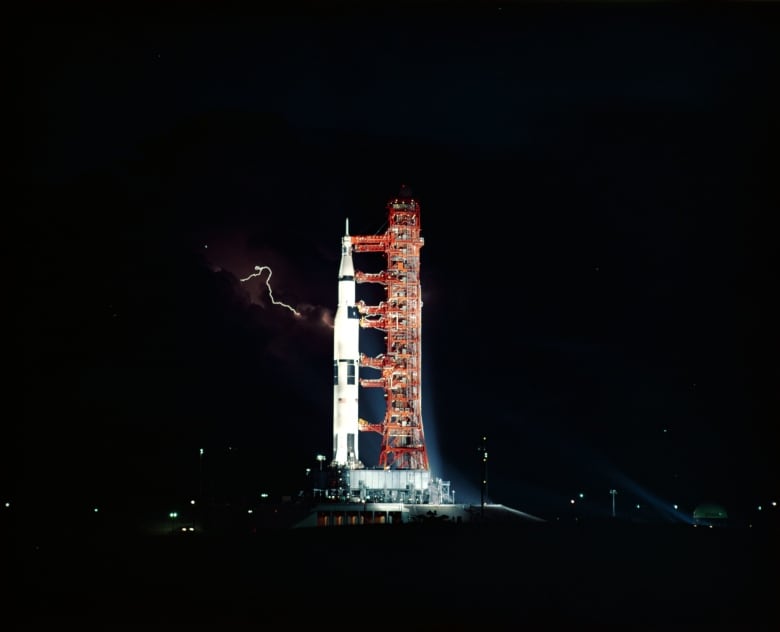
(598, 185)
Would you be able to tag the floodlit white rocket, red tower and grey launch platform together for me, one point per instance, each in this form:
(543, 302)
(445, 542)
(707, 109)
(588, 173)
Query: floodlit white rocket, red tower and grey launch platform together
(402, 474)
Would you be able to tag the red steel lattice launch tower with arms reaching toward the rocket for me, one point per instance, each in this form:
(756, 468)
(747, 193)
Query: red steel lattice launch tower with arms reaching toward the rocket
(399, 316)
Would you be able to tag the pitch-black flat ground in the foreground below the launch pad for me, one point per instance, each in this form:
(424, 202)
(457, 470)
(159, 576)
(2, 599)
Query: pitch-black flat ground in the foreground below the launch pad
(433, 576)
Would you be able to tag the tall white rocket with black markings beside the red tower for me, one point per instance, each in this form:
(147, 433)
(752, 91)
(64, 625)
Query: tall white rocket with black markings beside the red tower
(346, 359)
